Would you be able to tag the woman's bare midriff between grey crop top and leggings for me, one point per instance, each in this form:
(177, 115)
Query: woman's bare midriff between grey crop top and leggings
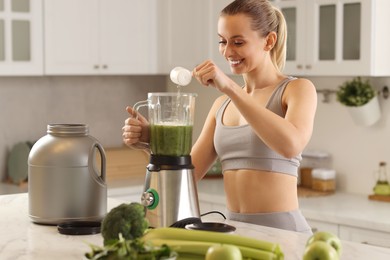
(252, 191)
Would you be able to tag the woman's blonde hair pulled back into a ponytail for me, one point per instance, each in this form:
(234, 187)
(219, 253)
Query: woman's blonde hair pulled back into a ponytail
(265, 19)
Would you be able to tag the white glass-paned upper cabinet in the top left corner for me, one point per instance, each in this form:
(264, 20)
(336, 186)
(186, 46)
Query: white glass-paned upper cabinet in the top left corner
(21, 37)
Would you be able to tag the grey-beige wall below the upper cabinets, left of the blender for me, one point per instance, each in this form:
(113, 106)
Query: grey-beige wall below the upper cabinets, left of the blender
(29, 104)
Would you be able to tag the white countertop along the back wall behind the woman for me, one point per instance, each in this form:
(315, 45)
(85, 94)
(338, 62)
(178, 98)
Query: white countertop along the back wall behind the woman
(338, 208)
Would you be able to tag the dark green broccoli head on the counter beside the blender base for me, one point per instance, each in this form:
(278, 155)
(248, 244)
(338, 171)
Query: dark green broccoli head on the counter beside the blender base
(127, 219)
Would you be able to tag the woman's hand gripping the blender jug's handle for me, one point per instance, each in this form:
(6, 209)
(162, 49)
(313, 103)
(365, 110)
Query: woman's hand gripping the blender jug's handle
(136, 128)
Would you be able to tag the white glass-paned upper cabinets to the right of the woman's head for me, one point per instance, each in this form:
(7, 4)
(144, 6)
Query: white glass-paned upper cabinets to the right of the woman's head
(337, 37)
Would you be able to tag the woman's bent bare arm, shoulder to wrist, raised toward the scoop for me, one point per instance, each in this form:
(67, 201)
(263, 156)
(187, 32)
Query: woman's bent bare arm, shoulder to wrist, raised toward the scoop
(288, 136)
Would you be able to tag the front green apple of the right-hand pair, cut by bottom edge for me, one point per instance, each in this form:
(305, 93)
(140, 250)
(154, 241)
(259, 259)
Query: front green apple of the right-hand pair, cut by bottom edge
(320, 250)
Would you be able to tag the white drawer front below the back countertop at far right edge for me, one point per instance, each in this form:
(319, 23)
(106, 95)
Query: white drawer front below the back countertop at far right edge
(364, 236)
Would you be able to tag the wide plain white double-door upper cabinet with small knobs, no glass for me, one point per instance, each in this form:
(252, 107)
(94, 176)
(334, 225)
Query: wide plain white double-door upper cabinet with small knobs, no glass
(100, 37)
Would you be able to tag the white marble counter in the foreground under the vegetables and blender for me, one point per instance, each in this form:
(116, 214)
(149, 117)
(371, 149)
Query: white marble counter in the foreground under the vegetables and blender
(22, 239)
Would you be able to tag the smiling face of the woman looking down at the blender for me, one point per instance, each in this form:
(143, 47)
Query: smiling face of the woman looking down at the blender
(242, 47)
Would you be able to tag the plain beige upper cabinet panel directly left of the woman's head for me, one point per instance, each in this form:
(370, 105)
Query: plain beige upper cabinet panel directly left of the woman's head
(184, 33)
